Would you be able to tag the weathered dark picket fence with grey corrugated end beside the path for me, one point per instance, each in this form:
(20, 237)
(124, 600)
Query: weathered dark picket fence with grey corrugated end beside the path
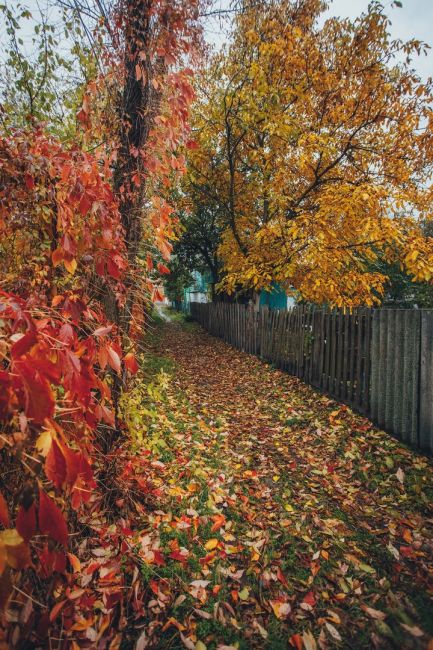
(378, 361)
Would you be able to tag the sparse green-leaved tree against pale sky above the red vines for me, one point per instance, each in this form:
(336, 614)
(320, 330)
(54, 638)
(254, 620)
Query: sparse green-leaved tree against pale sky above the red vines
(48, 60)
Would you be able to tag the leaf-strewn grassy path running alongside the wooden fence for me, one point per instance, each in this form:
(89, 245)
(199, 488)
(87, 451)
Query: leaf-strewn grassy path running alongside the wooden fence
(278, 518)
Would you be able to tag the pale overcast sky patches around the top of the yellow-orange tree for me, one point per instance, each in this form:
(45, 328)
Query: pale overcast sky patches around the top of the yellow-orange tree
(413, 20)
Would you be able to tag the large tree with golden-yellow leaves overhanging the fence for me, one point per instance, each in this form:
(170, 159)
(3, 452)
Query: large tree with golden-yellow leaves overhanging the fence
(316, 143)
